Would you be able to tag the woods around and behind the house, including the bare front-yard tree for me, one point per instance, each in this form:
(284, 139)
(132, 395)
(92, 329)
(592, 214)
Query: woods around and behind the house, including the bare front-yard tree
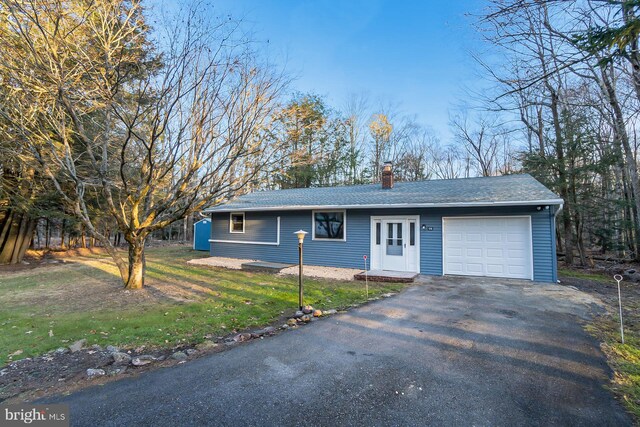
(110, 125)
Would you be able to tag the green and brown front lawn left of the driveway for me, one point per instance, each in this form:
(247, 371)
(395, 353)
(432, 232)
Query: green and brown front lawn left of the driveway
(181, 305)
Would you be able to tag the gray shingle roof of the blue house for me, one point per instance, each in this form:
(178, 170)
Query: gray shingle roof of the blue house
(500, 190)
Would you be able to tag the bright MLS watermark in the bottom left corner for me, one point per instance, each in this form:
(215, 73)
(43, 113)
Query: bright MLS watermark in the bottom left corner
(34, 415)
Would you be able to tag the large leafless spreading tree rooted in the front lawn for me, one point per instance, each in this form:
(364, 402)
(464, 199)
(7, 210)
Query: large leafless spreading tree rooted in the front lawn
(154, 131)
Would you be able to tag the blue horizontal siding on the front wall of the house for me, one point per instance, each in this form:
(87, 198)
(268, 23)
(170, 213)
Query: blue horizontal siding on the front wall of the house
(262, 227)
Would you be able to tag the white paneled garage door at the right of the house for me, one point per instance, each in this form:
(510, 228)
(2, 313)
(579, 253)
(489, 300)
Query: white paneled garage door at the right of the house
(488, 246)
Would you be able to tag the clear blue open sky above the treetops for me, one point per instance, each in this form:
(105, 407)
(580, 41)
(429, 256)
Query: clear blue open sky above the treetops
(413, 54)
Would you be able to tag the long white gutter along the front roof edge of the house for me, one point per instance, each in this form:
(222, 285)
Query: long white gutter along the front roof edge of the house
(387, 205)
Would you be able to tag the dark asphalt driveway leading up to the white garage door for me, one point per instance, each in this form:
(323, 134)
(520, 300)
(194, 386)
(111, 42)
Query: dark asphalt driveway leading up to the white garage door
(445, 352)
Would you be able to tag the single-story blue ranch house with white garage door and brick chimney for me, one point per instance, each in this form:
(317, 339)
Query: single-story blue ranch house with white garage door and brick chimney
(492, 226)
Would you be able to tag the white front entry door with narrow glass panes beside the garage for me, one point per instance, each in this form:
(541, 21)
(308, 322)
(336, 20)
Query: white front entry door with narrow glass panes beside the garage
(395, 244)
